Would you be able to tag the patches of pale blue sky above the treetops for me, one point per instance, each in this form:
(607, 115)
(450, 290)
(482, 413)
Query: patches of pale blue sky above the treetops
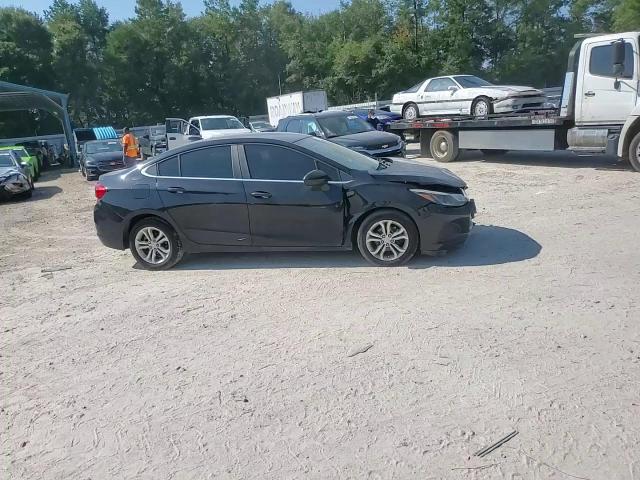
(122, 9)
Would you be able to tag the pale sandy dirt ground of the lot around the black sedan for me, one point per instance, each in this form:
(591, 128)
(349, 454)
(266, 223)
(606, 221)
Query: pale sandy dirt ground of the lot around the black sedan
(247, 366)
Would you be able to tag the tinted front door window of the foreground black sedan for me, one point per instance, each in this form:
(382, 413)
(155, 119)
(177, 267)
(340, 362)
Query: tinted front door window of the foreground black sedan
(273, 162)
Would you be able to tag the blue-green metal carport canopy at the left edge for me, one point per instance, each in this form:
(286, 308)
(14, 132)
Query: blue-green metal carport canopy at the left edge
(14, 97)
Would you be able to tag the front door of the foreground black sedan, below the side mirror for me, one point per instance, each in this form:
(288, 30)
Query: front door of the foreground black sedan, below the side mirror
(283, 211)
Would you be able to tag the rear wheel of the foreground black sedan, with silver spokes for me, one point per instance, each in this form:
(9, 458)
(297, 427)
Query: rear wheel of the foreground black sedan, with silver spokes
(155, 244)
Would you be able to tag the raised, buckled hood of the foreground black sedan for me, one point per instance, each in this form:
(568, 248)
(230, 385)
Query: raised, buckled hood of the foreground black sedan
(414, 172)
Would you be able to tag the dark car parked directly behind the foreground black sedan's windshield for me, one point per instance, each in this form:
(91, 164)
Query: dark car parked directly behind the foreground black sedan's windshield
(346, 129)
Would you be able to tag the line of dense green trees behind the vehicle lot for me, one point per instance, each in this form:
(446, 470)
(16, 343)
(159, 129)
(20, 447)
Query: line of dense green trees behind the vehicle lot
(230, 58)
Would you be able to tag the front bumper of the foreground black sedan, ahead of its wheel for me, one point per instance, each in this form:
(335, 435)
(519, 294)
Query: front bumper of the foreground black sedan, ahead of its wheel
(445, 228)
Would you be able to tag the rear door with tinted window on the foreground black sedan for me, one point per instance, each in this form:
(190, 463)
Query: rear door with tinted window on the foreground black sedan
(203, 193)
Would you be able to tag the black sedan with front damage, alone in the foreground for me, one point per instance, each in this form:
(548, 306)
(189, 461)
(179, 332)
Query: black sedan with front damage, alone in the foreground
(279, 191)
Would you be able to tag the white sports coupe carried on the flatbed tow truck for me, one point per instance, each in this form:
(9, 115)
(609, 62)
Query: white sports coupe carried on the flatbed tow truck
(464, 95)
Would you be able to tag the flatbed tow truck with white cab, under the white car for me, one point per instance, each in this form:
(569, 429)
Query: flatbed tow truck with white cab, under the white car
(599, 111)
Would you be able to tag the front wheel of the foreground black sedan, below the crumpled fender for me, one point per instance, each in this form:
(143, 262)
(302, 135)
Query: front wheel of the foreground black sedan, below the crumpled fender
(372, 223)
